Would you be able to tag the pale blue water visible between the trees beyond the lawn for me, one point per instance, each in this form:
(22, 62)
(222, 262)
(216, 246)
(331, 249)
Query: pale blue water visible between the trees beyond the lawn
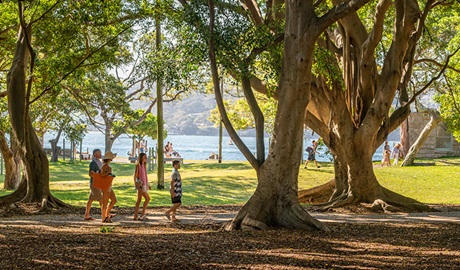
(190, 147)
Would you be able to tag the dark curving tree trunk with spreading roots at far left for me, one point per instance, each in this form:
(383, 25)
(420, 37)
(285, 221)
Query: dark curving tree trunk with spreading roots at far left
(36, 186)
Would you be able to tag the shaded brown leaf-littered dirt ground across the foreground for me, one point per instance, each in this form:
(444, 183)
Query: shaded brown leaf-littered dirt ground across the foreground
(59, 239)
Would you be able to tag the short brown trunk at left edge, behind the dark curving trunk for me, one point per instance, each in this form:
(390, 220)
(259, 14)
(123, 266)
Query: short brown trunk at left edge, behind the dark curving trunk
(12, 163)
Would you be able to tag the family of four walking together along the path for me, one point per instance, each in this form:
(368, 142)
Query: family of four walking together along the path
(101, 176)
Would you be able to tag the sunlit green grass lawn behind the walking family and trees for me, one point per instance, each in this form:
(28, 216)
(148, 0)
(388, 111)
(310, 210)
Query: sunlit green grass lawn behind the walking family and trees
(210, 183)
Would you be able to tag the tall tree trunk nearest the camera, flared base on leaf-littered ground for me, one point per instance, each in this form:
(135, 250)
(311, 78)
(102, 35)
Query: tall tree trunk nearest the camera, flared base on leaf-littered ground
(275, 201)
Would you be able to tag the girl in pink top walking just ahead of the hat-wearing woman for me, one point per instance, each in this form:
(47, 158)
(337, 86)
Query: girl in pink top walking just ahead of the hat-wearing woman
(142, 185)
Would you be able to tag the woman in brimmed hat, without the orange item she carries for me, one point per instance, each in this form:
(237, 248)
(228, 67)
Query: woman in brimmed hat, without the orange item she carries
(106, 170)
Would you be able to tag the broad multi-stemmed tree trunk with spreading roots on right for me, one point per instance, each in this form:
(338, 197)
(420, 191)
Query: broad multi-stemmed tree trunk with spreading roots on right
(353, 116)
